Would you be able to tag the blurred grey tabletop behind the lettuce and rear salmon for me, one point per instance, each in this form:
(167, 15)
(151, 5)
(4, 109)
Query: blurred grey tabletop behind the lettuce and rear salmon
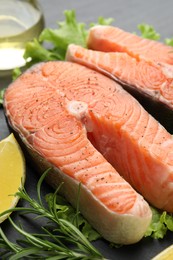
(126, 13)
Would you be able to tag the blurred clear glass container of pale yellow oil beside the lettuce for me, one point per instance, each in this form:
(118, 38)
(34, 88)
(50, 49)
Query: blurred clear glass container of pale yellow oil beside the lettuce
(20, 22)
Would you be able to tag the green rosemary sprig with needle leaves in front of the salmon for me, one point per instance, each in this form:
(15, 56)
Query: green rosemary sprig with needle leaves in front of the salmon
(60, 238)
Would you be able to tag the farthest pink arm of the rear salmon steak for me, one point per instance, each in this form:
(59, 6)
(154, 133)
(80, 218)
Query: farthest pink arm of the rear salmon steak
(113, 39)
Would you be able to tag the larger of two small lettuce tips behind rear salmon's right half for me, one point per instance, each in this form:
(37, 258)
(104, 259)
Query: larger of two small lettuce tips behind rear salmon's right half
(148, 32)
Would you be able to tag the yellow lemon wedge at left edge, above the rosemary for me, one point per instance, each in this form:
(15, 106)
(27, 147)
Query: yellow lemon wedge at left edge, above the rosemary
(12, 173)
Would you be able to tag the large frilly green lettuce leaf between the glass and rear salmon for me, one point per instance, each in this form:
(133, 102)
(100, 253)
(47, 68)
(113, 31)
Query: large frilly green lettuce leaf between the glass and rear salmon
(68, 31)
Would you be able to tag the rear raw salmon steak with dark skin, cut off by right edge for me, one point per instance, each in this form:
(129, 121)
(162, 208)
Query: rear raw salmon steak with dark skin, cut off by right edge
(143, 67)
